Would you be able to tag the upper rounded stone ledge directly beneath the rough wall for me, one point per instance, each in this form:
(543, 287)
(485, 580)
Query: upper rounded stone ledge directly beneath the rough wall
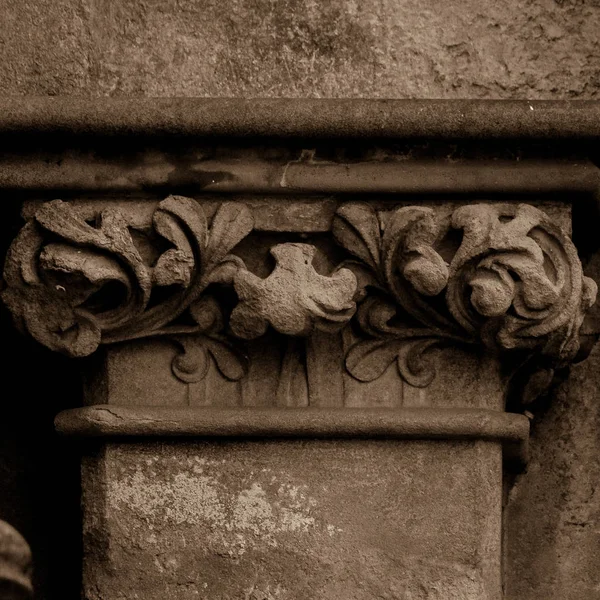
(295, 117)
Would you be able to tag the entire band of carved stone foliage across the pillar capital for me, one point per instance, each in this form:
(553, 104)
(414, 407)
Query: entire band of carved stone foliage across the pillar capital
(502, 276)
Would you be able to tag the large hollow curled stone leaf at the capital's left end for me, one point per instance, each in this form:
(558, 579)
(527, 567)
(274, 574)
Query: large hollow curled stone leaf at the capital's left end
(50, 284)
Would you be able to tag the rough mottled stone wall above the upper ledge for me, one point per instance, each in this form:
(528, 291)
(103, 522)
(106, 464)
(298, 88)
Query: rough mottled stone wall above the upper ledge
(339, 48)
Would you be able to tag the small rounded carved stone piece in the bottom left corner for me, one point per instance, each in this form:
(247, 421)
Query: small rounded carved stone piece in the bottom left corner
(15, 565)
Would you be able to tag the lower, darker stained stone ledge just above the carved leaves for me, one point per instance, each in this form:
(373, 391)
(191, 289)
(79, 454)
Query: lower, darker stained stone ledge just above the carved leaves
(155, 172)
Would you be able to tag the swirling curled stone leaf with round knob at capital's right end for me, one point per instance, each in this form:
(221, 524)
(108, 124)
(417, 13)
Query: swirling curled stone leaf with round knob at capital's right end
(527, 288)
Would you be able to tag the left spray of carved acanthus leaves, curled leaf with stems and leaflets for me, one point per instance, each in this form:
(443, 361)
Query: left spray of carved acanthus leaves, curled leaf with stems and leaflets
(73, 284)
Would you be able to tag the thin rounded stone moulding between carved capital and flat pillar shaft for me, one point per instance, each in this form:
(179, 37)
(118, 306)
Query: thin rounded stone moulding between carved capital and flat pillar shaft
(110, 421)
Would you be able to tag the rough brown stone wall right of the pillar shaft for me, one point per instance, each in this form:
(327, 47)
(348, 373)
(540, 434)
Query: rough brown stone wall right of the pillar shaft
(553, 512)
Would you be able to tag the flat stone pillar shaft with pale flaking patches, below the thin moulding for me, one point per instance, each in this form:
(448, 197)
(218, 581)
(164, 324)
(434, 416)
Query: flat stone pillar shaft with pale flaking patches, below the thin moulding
(308, 520)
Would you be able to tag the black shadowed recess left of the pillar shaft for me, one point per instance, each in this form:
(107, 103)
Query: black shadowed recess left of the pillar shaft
(39, 473)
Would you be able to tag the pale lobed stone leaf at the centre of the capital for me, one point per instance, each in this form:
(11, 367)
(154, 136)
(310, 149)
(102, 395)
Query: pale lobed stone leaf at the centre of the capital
(294, 299)
